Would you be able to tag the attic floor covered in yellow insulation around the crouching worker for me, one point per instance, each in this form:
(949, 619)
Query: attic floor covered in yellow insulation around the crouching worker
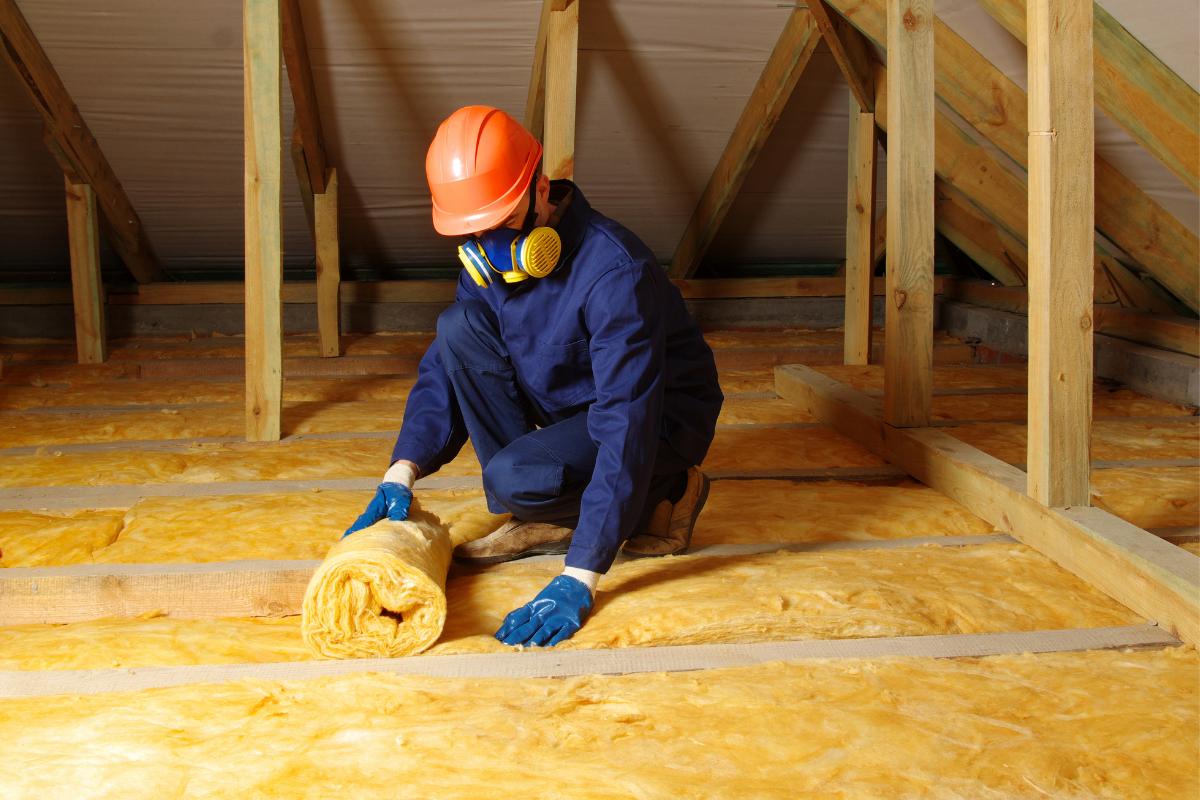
(131, 462)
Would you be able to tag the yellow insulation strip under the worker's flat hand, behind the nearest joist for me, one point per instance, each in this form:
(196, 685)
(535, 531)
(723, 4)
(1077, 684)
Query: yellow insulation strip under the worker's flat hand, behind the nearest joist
(685, 600)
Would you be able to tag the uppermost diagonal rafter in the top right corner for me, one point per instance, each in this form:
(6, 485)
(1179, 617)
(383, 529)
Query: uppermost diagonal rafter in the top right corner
(1157, 109)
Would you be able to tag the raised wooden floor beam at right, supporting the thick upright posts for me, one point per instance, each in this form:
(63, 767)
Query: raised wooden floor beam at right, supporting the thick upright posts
(1133, 567)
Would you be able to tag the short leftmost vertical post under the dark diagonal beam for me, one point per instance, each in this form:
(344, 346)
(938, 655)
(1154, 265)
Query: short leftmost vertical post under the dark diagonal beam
(87, 288)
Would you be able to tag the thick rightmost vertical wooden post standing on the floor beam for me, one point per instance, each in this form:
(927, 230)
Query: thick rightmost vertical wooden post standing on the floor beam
(1061, 278)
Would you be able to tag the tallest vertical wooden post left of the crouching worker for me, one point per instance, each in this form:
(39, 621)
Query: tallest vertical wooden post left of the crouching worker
(265, 273)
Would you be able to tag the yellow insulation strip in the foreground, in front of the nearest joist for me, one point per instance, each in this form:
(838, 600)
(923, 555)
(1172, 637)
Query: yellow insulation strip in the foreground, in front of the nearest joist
(1071, 725)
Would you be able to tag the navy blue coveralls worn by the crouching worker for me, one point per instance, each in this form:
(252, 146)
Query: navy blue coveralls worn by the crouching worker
(586, 394)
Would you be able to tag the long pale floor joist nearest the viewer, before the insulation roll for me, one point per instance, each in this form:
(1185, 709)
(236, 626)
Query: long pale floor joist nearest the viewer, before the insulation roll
(623, 661)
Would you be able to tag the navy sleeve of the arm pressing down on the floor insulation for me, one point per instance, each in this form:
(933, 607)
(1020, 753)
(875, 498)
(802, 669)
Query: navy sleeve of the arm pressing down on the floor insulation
(628, 350)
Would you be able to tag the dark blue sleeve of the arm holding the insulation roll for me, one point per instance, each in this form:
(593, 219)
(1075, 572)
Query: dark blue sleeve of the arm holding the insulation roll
(434, 431)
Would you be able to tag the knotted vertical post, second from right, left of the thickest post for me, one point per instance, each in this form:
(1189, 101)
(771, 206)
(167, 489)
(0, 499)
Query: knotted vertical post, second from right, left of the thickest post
(909, 345)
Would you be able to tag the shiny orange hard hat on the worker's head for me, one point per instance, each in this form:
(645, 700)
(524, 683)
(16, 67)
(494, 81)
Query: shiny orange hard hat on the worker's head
(479, 167)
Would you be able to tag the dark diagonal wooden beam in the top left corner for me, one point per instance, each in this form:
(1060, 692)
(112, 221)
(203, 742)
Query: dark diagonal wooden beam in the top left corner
(73, 143)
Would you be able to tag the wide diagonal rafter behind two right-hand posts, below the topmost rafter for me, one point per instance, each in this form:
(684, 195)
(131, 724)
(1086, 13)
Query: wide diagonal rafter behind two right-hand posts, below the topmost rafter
(997, 107)
